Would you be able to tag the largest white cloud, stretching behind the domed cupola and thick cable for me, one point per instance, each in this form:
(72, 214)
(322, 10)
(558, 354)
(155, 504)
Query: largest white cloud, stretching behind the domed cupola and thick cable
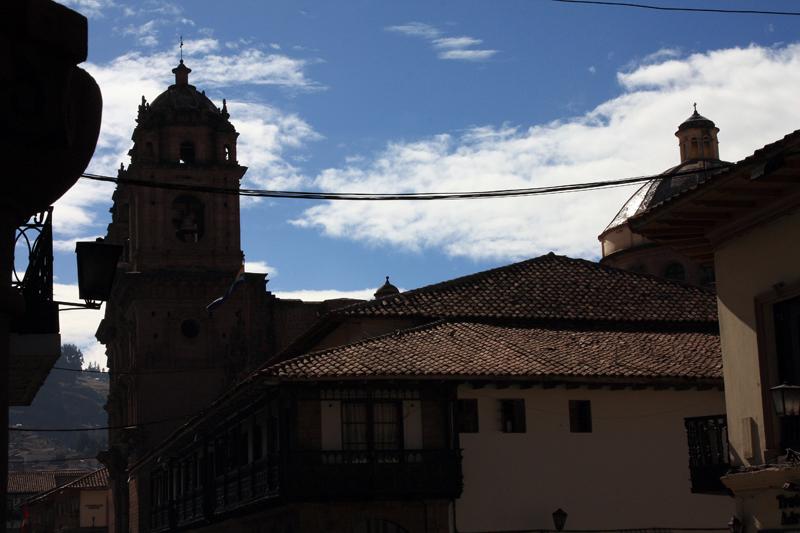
(751, 93)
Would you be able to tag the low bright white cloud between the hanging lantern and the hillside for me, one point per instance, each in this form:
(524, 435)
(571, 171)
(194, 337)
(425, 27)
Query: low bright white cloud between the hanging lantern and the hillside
(79, 326)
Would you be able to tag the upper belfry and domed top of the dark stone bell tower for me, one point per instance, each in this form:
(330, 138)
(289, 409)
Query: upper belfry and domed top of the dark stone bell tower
(182, 141)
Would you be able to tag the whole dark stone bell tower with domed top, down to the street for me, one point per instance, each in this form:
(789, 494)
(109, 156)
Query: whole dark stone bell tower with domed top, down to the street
(176, 213)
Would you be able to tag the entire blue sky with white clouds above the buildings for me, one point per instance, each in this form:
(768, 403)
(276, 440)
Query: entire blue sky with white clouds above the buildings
(430, 96)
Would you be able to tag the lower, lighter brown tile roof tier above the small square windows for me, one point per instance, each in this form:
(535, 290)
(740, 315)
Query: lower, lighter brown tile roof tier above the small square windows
(474, 350)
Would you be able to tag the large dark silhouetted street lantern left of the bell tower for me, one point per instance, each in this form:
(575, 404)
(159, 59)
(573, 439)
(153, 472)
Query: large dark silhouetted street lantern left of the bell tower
(97, 264)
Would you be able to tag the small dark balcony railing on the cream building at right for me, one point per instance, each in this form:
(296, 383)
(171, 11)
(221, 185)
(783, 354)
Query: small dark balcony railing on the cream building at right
(707, 438)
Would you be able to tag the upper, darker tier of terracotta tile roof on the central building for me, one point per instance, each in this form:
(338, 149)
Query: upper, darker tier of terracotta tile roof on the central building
(546, 288)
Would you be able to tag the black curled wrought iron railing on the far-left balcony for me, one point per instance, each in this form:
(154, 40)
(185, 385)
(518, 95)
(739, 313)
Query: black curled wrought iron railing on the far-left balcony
(35, 237)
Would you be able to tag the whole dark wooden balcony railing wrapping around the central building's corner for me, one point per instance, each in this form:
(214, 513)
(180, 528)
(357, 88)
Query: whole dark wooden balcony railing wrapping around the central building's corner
(396, 474)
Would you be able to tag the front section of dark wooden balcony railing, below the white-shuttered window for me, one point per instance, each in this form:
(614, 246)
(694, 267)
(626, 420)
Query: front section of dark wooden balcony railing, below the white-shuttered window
(374, 474)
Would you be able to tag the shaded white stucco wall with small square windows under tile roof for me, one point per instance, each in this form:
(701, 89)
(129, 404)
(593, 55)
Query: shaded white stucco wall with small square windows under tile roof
(630, 472)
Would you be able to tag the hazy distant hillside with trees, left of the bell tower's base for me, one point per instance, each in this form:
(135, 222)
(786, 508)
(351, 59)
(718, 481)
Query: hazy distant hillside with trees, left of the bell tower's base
(68, 399)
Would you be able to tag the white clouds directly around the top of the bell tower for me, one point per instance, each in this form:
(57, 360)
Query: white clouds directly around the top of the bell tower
(267, 132)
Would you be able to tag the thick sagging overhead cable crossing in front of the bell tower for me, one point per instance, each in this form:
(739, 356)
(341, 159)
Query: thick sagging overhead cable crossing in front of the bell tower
(412, 196)
